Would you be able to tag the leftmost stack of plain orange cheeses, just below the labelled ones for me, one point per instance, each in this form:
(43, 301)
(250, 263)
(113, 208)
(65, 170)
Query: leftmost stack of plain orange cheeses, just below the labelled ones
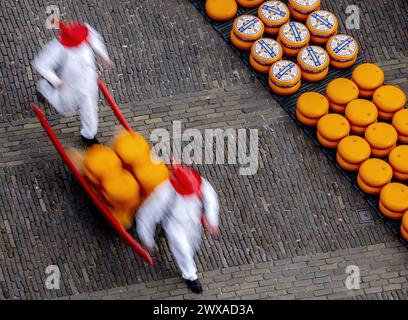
(310, 107)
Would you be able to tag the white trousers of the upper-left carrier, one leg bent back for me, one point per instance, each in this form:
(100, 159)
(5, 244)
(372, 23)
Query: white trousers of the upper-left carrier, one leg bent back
(67, 105)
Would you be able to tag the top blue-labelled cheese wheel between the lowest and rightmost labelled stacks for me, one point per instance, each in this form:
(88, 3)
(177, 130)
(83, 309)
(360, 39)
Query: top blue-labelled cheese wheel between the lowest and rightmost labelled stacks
(313, 59)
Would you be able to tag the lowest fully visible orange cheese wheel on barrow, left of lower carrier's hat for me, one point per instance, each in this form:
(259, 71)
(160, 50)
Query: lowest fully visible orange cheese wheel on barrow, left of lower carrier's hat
(121, 190)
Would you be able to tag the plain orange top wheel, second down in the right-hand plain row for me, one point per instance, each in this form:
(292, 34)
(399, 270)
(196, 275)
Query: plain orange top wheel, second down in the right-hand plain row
(389, 99)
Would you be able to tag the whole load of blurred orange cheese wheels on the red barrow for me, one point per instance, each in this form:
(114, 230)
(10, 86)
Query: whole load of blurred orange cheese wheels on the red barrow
(125, 174)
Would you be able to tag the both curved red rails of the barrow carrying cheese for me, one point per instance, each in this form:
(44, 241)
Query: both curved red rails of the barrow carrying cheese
(144, 254)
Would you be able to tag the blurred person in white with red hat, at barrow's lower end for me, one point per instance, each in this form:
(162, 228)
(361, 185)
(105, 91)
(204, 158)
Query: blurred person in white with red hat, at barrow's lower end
(181, 205)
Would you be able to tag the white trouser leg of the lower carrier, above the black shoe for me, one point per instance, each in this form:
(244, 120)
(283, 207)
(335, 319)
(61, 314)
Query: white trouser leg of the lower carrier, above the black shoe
(183, 252)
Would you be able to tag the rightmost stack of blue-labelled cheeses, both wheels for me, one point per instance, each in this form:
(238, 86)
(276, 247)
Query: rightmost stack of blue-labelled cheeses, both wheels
(343, 51)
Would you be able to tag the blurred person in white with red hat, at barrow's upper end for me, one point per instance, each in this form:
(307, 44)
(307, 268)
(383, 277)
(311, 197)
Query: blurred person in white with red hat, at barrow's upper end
(67, 64)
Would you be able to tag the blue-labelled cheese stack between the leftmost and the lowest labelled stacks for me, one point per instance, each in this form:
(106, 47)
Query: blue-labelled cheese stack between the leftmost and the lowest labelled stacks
(264, 53)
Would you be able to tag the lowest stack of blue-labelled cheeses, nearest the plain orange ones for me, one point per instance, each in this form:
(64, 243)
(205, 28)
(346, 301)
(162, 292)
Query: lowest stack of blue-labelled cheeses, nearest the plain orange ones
(285, 77)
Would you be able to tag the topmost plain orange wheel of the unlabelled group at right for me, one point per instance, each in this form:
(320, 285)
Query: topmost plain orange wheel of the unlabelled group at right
(368, 76)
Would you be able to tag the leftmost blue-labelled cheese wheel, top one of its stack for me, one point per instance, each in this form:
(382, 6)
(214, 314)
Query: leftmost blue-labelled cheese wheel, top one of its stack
(248, 27)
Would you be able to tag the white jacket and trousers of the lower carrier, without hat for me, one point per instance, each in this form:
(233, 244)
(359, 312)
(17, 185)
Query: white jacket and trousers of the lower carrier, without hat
(180, 217)
